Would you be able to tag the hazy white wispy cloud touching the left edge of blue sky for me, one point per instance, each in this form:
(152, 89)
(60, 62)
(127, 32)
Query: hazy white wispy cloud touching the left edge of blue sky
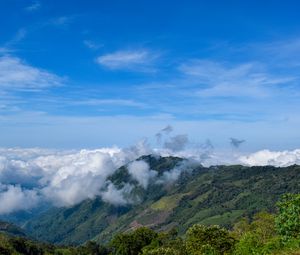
(16, 74)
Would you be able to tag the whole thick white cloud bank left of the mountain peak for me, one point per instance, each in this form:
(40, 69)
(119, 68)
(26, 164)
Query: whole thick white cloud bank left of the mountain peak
(62, 178)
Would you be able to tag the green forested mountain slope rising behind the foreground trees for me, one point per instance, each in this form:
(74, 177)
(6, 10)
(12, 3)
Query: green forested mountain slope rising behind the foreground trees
(214, 195)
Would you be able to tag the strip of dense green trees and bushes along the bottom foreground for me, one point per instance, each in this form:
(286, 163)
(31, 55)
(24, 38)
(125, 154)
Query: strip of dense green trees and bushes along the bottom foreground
(263, 234)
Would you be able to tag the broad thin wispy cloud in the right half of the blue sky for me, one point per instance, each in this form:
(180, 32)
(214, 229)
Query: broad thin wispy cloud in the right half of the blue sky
(217, 79)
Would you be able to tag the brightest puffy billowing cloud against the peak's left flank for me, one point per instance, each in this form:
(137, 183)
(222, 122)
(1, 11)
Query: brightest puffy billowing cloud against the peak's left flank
(74, 177)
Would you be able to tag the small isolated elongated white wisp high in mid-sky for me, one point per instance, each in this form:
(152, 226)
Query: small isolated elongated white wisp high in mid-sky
(137, 60)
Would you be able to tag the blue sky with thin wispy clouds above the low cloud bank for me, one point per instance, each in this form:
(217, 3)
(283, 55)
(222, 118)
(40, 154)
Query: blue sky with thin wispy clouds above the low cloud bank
(77, 74)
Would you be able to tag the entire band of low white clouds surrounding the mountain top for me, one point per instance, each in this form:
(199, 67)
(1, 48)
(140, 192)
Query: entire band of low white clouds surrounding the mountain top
(29, 177)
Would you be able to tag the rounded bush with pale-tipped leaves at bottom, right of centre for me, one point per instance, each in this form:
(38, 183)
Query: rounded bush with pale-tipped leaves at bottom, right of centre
(208, 240)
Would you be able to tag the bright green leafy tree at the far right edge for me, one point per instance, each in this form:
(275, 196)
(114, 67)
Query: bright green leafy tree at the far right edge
(288, 219)
